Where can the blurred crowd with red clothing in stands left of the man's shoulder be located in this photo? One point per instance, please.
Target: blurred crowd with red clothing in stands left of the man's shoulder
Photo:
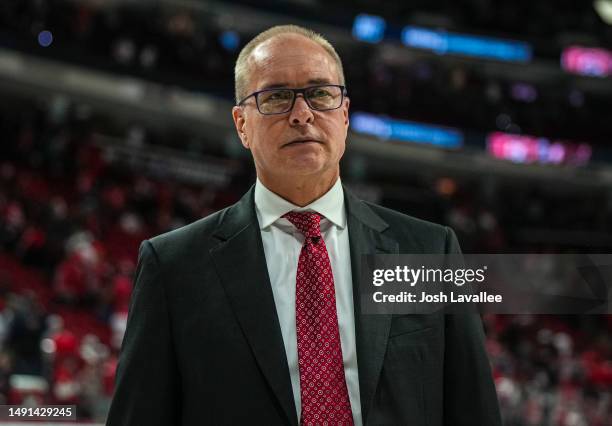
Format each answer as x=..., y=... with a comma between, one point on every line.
x=70, y=226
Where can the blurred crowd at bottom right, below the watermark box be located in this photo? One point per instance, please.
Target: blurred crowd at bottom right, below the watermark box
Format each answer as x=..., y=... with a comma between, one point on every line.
x=552, y=370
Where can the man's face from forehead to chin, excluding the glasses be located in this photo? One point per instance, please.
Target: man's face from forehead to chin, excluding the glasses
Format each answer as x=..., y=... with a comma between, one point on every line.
x=292, y=61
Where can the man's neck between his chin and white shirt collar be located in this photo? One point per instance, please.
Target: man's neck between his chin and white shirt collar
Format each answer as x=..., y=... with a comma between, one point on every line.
x=300, y=191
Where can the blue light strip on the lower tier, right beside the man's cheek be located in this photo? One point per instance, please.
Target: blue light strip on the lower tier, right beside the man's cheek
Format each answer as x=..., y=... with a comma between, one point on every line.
x=387, y=128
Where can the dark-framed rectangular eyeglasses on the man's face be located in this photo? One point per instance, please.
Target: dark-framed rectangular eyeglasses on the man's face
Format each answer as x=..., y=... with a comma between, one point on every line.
x=322, y=97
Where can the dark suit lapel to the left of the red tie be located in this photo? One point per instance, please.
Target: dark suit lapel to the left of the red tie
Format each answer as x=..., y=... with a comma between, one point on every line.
x=240, y=262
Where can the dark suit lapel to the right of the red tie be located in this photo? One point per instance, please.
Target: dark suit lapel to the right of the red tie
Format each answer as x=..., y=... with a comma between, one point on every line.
x=371, y=331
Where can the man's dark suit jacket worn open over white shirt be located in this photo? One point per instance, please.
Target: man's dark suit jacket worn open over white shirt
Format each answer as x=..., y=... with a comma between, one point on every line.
x=203, y=344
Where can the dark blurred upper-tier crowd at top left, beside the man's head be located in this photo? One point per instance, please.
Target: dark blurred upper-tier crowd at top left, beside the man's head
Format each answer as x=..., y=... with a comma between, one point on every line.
x=149, y=41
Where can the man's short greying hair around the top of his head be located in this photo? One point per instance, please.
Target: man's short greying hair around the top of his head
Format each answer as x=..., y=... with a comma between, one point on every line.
x=241, y=71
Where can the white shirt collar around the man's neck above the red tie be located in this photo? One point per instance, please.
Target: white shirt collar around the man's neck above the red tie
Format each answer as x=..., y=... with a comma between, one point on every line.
x=270, y=206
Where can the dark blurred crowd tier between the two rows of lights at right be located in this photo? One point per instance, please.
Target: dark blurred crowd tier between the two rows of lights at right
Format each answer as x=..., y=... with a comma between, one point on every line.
x=457, y=95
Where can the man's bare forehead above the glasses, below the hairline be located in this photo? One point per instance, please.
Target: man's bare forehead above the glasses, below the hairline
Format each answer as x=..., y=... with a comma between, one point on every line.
x=291, y=60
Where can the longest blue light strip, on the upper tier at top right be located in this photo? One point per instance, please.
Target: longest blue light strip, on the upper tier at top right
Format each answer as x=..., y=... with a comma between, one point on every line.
x=442, y=43
